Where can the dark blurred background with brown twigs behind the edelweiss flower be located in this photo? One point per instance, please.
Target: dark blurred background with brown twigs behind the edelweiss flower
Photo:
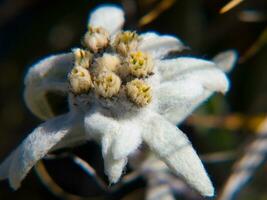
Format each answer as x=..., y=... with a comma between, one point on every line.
x=224, y=131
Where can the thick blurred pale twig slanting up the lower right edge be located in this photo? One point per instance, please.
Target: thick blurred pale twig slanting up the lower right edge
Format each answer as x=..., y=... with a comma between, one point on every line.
x=245, y=168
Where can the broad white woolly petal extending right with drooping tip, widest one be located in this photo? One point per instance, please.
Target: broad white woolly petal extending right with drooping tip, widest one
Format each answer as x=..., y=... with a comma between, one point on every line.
x=192, y=82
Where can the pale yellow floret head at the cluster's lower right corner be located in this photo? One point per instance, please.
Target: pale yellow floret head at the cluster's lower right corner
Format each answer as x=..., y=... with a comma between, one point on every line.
x=139, y=92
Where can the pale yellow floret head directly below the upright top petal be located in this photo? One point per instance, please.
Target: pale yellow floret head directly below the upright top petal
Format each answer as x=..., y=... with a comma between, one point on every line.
x=96, y=39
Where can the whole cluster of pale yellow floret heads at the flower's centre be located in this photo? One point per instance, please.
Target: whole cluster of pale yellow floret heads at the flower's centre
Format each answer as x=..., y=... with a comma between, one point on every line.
x=108, y=69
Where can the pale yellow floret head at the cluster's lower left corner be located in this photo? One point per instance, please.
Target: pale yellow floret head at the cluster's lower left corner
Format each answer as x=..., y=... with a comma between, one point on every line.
x=80, y=80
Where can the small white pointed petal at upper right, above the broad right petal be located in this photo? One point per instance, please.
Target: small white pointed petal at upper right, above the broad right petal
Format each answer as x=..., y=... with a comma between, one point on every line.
x=159, y=45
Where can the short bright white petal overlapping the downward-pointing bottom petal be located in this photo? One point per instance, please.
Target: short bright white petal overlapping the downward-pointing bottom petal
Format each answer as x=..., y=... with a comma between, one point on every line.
x=127, y=140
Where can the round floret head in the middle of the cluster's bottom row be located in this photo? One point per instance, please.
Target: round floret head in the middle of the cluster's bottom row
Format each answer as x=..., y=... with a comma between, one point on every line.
x=107, y=84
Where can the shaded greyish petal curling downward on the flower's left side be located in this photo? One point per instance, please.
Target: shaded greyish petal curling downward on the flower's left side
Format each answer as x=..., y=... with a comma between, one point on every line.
x=49, y=74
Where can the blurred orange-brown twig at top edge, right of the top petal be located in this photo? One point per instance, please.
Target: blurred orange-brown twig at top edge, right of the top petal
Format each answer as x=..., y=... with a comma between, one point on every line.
x=157, y=10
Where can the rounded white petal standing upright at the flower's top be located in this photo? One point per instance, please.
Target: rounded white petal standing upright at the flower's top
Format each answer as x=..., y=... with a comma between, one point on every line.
x=109, y=17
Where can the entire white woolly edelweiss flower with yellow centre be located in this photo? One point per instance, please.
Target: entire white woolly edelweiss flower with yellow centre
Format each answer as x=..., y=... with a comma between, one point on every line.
x=121, y=93
